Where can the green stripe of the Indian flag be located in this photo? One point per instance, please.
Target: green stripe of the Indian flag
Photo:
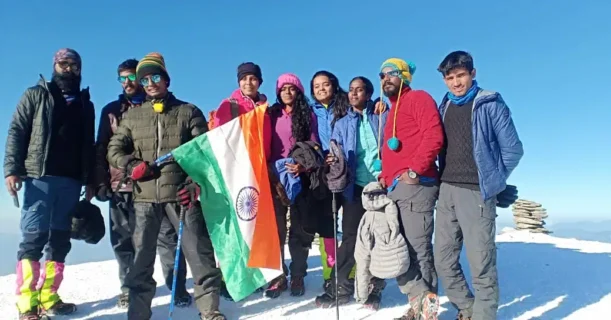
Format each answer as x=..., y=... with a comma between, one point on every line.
x=198, y=160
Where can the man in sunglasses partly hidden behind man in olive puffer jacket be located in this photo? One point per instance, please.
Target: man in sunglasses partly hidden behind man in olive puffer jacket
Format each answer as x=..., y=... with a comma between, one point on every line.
x=111, y=186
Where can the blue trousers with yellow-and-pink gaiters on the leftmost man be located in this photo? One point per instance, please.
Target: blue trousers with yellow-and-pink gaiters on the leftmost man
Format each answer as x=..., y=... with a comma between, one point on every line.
x=46, y=220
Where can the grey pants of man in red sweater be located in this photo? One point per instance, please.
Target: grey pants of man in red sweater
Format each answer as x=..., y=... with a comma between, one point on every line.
x=416, y=205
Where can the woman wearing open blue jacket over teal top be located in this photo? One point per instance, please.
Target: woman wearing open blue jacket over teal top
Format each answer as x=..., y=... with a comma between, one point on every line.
x=358, y=130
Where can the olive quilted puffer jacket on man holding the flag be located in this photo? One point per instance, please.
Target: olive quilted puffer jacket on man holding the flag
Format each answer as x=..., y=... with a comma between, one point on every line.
x=147, y=135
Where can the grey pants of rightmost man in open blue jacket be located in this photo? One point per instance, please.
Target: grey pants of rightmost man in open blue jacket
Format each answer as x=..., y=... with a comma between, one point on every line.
x=462, y=216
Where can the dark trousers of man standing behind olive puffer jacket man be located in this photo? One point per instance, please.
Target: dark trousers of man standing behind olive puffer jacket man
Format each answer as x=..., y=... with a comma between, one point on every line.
x=122, y=221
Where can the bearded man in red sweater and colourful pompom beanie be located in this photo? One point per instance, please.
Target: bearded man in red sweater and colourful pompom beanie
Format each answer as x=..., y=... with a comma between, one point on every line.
x=414, y=139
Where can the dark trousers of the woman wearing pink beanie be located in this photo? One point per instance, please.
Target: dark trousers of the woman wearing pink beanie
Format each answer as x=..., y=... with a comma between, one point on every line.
x=299, y=241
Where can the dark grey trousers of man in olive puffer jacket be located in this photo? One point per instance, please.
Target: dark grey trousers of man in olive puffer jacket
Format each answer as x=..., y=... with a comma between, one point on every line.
x=196, y=246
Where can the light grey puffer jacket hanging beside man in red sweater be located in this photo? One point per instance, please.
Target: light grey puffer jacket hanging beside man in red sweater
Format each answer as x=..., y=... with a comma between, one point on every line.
x=380, y=251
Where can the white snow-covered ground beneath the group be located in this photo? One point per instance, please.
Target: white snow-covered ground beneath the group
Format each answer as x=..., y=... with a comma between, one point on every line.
x=541, y=277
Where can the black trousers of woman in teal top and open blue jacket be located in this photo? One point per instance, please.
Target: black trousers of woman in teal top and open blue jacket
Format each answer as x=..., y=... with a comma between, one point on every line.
x=353, y=211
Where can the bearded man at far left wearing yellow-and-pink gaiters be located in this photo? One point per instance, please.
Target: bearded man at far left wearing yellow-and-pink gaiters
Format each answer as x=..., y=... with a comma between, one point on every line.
x=50, y=150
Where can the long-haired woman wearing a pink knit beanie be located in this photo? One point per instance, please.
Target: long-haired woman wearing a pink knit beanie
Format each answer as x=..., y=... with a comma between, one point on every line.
x=292, y=121
